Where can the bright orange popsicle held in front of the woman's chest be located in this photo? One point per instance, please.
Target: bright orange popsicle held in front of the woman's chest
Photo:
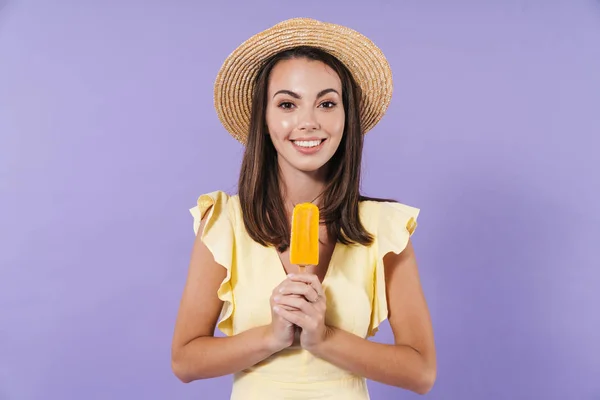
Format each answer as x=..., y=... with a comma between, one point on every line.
x=304, y=241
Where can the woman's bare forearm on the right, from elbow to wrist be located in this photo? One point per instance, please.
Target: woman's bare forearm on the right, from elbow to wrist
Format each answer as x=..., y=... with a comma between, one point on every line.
x=396, y=365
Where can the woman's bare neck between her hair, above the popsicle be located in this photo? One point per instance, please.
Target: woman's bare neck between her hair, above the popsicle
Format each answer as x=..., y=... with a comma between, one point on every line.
x=300, y=187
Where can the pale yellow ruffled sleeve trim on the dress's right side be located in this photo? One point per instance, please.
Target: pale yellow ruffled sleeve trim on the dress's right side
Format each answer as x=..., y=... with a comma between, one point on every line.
x=397, y=223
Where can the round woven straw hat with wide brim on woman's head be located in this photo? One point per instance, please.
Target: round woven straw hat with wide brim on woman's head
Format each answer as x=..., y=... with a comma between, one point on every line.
x=365, y=61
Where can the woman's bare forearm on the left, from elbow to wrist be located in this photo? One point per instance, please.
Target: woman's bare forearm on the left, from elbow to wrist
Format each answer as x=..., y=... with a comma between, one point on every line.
x=209, y=357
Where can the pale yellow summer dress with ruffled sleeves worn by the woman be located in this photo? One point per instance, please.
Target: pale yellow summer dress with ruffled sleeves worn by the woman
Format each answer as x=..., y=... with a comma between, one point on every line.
x=354, y=287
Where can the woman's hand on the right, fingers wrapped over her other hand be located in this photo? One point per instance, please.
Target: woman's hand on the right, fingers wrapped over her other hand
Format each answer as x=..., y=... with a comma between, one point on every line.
x=306, y=296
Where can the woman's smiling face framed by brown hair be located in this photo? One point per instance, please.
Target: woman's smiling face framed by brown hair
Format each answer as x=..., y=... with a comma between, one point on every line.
x=304, y=113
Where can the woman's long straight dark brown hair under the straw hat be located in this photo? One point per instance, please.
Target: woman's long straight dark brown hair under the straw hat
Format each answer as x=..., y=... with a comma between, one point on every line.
x=263, y=209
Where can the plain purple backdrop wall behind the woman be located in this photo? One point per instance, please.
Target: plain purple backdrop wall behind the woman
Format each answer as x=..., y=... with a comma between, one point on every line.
x=108, y=135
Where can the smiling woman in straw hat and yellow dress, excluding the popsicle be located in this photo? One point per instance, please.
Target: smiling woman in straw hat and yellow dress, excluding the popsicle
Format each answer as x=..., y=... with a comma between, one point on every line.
x=315, y=89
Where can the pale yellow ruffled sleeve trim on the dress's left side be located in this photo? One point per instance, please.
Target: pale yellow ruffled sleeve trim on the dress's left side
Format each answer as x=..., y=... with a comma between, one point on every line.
x=218, y=236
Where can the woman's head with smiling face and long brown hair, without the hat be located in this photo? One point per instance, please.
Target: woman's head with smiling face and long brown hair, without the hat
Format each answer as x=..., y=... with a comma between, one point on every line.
x=305, y=119
